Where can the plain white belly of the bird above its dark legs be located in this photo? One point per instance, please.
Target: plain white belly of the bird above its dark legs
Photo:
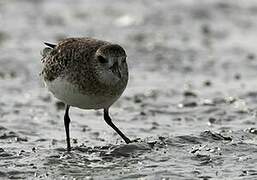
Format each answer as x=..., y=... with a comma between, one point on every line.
x=69, y=94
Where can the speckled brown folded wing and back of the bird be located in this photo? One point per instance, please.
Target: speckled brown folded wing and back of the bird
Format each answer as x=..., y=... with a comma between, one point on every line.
x=68, y=53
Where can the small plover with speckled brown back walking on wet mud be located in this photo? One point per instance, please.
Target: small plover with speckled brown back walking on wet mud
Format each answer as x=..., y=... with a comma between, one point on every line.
x=85, y=73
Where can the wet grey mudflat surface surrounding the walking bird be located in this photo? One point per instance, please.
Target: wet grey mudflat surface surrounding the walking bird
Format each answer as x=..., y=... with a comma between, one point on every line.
x=191, y=98
